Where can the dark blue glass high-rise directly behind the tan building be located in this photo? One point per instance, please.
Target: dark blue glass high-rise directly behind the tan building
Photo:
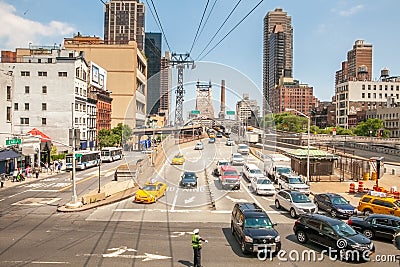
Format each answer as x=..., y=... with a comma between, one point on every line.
x=152, y=50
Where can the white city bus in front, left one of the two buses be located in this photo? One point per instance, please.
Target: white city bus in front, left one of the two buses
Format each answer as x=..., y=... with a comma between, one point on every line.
x=84, y=159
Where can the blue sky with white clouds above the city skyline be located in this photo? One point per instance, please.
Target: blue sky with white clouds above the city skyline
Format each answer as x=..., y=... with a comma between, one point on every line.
x=324, y=30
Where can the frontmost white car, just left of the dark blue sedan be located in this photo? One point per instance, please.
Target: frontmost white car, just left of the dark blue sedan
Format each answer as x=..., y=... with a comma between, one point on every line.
x=295, y=202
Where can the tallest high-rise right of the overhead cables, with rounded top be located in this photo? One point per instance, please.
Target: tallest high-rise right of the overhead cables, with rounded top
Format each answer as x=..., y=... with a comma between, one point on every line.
x=278, y=51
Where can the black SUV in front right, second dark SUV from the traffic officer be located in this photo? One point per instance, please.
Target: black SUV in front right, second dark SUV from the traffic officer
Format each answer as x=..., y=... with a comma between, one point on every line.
x=342, y=241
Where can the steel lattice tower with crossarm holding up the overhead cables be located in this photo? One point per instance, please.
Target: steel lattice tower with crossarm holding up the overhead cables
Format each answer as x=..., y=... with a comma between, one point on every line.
x=180, y=61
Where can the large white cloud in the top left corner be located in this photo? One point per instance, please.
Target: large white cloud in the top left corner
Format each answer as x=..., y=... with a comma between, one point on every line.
x=19, y=32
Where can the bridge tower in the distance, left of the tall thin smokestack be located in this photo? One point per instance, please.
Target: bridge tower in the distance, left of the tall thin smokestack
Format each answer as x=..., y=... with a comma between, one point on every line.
x=204, y=100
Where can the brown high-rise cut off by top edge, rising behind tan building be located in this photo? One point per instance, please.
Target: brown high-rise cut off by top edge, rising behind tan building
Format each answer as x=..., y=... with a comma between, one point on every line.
x=124, y=22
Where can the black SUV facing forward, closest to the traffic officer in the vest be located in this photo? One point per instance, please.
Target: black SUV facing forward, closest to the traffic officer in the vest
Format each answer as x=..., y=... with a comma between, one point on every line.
x=253, y=229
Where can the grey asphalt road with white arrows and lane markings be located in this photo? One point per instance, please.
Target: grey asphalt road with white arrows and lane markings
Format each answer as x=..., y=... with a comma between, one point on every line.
x=32, y=233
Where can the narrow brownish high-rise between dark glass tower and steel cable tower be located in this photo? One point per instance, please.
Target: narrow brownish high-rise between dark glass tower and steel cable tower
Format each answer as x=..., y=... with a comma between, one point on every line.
x=165, y=87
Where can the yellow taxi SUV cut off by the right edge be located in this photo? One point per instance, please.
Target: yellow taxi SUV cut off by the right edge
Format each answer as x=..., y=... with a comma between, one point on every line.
x=380, y=204
